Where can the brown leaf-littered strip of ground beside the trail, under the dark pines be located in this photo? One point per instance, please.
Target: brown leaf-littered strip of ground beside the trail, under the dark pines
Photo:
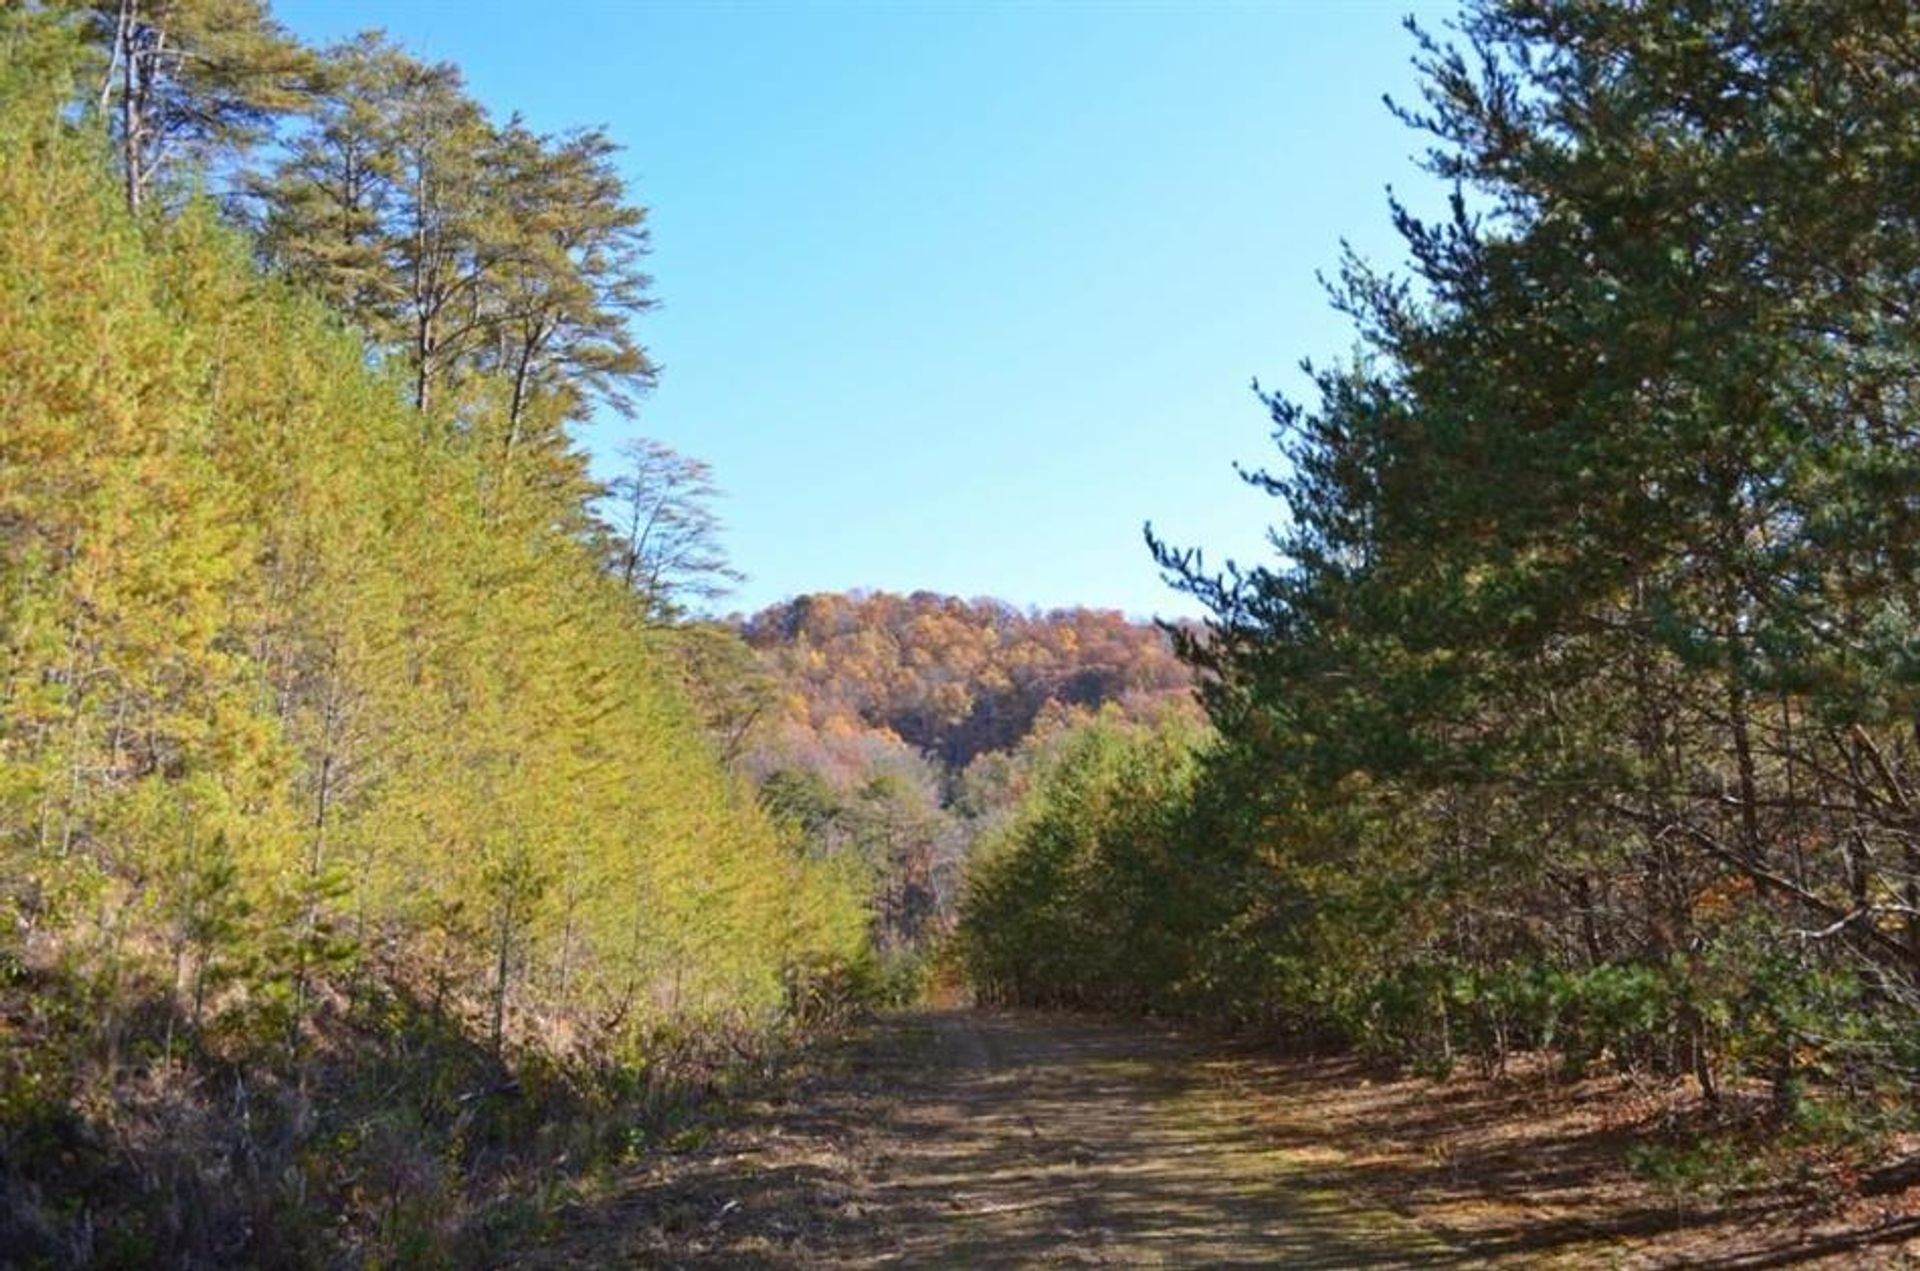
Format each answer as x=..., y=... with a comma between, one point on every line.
x=1531, y=1170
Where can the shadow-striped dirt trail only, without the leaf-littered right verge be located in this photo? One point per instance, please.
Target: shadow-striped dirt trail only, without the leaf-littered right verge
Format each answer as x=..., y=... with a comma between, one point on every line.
x=986, y=1139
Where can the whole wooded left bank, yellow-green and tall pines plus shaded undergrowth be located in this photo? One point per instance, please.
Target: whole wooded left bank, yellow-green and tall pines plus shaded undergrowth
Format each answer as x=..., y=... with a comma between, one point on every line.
x=358, y=830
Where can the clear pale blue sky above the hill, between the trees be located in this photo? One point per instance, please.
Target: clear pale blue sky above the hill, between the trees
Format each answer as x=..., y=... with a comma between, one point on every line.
x=957, y=297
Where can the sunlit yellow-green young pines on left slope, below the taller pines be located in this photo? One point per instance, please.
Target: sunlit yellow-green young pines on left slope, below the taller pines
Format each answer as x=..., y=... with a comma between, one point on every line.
x=297, y=679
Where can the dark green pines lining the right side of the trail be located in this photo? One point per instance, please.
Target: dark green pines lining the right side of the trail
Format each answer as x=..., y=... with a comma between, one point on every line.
x=1579, y=707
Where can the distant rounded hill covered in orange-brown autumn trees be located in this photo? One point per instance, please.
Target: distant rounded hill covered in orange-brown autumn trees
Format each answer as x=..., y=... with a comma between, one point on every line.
x=896, y=731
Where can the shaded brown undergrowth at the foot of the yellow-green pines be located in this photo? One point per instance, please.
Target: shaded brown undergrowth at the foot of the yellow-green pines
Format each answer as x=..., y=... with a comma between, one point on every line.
x=389, y=1134
